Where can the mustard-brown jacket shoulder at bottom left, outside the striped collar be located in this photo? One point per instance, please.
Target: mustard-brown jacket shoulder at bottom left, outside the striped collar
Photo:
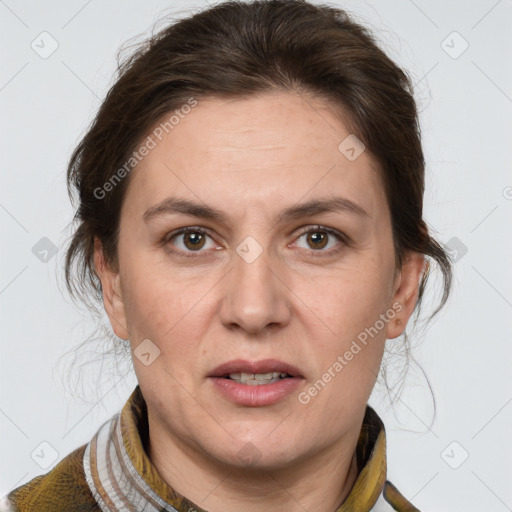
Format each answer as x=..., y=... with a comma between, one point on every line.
x=63, y=488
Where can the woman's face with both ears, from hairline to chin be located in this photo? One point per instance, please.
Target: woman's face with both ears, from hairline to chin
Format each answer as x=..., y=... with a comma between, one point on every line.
x=288, y=267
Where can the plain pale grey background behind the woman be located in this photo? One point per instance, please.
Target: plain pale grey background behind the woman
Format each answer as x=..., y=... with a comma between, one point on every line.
x=460, y=461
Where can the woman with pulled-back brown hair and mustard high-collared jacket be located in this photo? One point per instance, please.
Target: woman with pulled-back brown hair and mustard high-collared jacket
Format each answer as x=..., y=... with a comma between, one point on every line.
x=251, y=216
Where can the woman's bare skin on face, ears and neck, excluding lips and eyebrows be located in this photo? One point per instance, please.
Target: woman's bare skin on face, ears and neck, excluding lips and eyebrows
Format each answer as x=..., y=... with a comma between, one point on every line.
x=297, y=302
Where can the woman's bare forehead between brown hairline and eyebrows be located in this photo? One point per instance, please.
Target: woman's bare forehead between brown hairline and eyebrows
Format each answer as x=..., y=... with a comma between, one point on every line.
x=258, y=151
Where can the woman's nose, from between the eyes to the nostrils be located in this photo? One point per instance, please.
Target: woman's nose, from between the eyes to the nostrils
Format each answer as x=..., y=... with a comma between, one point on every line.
x=256, y=297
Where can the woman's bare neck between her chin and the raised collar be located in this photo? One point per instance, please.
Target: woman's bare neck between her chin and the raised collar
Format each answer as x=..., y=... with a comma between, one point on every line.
x=321, y=482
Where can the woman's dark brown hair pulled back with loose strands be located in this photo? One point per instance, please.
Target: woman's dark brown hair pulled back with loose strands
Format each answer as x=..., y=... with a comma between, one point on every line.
x=236, y=49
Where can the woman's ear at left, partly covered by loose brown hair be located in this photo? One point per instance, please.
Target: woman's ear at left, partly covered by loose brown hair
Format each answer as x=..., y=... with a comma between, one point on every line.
x=111, y=289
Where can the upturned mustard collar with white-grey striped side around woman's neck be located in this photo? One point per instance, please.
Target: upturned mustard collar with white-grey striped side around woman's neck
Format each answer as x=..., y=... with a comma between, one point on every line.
x=120, y=474
